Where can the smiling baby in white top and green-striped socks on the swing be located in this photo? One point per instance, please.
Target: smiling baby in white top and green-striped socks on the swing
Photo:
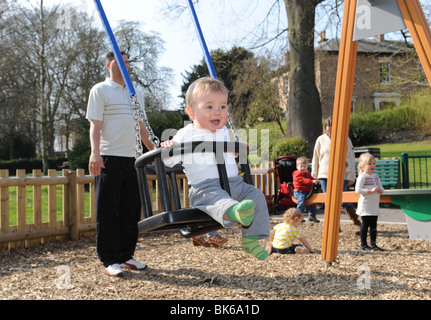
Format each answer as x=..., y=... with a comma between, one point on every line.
x=207, y=107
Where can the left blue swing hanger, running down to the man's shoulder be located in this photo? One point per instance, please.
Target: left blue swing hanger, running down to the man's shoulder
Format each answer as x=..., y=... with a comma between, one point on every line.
x=115, y=49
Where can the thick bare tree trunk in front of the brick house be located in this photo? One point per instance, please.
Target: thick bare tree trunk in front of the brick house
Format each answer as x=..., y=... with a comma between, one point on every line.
x=304, y=112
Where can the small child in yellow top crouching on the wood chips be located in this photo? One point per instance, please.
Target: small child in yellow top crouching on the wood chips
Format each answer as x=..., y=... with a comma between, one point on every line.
x=284, y=234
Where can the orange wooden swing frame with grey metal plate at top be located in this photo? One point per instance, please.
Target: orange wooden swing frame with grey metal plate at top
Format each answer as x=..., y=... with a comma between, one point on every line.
x=362, y=19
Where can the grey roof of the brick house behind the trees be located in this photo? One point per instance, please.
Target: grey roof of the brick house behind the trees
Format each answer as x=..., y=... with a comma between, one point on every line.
x=369, y=46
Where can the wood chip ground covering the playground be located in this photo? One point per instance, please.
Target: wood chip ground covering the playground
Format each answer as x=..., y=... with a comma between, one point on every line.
x=179, y=271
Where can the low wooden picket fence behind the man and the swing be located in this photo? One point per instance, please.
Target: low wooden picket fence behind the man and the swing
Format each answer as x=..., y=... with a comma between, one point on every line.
x=37, y=209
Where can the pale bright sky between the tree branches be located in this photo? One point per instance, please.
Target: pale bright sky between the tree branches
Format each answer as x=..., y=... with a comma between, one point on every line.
x=222, y=28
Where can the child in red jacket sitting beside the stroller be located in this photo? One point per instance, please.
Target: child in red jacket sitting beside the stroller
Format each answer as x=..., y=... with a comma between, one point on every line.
x=303, y=183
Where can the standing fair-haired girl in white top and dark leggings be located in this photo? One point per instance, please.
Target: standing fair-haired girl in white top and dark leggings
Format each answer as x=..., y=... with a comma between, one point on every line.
x=370, y=188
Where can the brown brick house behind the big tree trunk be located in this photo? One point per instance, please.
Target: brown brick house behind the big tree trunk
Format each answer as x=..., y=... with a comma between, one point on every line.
x=386, y=71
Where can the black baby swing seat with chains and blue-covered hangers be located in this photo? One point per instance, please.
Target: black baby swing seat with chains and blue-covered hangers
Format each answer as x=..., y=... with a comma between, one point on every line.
x=190, y=222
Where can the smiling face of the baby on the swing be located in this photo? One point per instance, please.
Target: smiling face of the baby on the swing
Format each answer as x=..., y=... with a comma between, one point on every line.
x=209, y=111
